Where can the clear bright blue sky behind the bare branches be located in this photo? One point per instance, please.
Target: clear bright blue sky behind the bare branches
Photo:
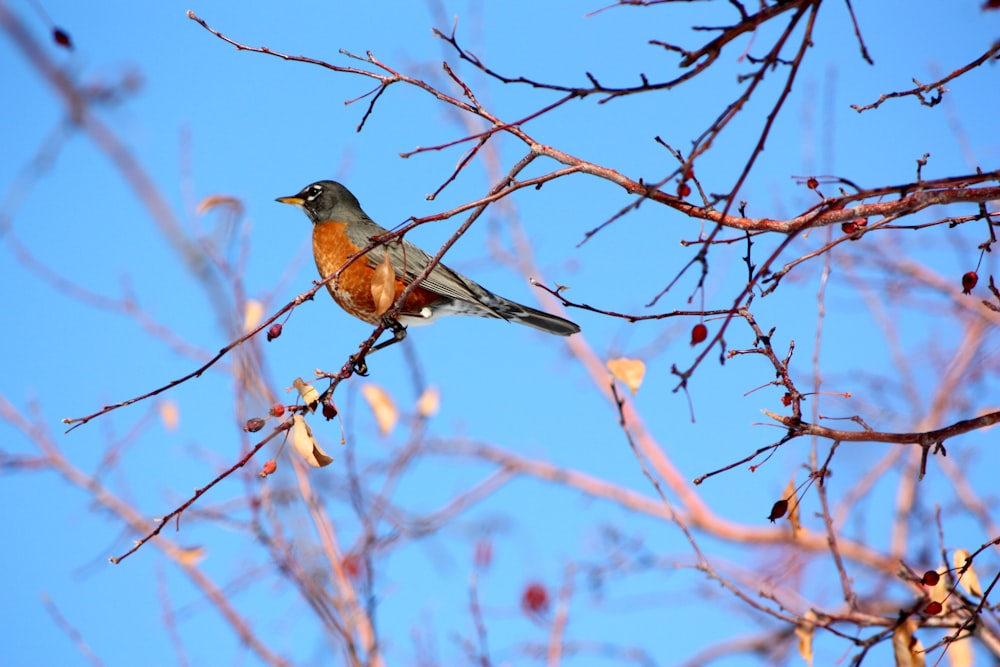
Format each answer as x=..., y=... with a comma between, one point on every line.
x=207, y=119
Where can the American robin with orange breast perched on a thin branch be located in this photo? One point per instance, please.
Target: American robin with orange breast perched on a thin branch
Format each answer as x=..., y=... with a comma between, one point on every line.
x=342, y=229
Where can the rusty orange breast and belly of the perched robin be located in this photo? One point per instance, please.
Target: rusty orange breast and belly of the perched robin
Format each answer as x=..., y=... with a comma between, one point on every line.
x=352, y=289
